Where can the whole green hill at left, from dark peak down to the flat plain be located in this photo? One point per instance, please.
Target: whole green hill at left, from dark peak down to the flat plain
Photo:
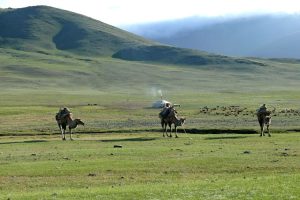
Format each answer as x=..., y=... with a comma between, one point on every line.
x=46, y=52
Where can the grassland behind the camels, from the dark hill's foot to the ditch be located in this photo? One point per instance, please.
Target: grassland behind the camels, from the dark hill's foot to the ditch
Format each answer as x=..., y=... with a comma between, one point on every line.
x=108, y=93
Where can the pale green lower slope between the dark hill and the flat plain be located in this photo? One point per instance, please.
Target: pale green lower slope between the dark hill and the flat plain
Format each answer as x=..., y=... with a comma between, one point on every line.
x=69, y=74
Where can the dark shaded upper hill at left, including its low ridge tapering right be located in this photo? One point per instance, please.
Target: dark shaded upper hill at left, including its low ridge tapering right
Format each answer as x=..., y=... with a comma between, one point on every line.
x=53, y=31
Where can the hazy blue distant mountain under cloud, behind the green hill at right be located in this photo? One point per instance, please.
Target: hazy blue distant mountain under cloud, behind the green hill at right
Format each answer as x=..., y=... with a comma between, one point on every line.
x=254, y=36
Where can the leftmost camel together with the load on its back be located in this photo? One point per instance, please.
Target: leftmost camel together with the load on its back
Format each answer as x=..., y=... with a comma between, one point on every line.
x=64, y=119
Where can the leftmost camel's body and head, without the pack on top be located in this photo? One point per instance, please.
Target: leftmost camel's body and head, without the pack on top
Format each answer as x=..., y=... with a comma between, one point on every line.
x=65, y=121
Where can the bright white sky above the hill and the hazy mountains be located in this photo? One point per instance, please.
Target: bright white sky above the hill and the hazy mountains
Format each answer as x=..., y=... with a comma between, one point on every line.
x=124, y=12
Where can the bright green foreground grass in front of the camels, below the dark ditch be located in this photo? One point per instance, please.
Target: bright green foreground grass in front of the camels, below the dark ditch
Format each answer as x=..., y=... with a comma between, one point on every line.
x=150, y=167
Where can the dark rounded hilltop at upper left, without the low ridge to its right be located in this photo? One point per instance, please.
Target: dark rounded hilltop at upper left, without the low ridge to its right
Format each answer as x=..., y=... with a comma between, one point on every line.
x=47, y=28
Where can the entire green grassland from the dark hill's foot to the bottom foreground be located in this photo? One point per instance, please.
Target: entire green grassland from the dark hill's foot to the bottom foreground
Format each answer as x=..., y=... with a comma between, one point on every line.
x=221, y=157
